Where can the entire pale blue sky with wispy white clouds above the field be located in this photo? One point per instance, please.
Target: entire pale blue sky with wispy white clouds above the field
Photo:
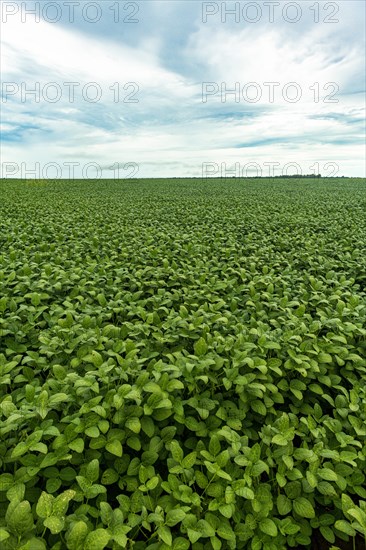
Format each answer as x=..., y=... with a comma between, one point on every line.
x=182, y=88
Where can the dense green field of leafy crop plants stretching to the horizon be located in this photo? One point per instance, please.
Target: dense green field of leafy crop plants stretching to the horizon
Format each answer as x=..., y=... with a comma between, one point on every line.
x=183, y=364
